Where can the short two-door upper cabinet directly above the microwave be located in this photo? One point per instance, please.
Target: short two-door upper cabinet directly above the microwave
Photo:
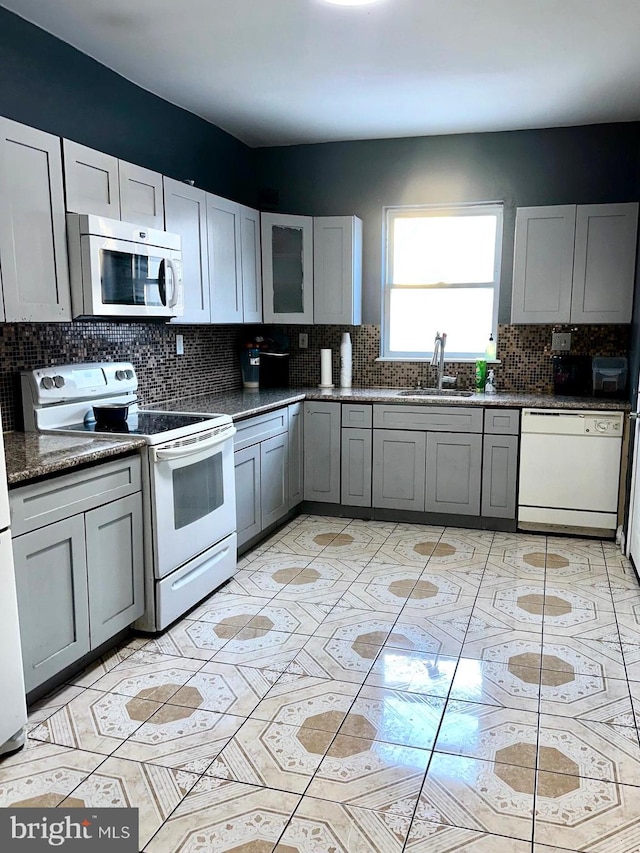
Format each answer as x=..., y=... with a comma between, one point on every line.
x=101, y=184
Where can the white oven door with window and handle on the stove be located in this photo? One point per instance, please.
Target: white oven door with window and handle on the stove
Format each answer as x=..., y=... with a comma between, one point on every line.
x=193, y=502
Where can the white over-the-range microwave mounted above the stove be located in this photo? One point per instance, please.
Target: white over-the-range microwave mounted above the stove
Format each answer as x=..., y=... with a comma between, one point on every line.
x=123, y=270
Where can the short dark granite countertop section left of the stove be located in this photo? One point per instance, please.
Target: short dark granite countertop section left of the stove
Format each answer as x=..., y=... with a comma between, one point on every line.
x=32, y=455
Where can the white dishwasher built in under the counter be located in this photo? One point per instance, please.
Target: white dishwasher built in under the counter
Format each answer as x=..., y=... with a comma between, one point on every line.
x=570, y=470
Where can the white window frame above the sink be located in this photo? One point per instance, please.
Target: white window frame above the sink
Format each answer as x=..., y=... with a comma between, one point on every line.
x=393, y=212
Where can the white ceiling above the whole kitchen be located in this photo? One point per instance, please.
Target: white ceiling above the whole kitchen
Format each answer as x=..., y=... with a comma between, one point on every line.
x=279, y=72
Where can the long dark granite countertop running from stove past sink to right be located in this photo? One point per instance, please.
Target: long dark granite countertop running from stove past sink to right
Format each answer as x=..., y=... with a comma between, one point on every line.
x=242, y=404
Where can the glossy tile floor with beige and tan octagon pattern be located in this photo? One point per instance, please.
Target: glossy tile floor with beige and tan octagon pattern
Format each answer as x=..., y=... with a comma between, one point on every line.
x=366, y=687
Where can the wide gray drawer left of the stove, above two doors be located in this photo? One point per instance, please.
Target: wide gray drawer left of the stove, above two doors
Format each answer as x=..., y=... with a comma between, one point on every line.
x=38, y=504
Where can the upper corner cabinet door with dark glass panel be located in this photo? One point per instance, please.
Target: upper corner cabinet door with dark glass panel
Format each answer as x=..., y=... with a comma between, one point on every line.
x=287, y=268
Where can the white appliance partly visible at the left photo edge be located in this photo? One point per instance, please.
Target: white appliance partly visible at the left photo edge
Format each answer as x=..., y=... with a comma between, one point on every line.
x=13, y=708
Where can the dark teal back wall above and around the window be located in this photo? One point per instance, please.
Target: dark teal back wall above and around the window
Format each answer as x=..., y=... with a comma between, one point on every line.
x=598, y=163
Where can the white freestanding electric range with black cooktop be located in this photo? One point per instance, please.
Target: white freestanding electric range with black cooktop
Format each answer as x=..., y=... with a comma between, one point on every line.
x=188, y=479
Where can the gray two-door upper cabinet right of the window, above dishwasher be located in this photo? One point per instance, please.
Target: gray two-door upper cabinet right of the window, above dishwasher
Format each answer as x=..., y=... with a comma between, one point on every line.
x=574, y=263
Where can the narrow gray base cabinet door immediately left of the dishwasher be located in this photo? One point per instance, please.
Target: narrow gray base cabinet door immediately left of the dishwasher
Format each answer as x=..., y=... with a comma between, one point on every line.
x=499, y=476
